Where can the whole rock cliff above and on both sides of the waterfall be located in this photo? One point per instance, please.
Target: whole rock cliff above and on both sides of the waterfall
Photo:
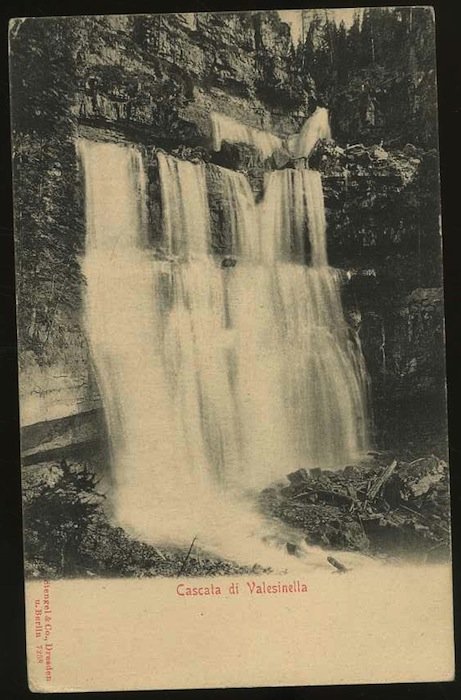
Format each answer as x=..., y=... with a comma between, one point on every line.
x=154, y=80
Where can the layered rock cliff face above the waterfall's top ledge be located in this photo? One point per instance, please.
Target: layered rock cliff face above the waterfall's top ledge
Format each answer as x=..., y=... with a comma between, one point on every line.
x=176, y=71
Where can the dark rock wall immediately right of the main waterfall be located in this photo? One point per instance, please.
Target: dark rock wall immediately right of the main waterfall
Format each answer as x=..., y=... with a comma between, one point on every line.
x=383, y=215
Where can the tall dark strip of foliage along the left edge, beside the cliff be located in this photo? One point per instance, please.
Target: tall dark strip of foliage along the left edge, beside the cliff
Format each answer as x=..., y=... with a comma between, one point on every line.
x=48, y=236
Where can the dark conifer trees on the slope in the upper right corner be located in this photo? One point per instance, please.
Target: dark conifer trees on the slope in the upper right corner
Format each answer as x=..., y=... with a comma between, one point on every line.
x=377, y=76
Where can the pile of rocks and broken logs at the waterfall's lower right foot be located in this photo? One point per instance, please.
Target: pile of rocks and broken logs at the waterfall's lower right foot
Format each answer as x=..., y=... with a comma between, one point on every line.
x=381, y=506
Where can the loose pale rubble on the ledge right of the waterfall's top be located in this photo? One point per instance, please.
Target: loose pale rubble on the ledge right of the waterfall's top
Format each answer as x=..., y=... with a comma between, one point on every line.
x=359, y=160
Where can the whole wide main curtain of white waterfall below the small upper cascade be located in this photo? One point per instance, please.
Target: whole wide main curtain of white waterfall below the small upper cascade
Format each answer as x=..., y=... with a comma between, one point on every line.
x=213, y=379
